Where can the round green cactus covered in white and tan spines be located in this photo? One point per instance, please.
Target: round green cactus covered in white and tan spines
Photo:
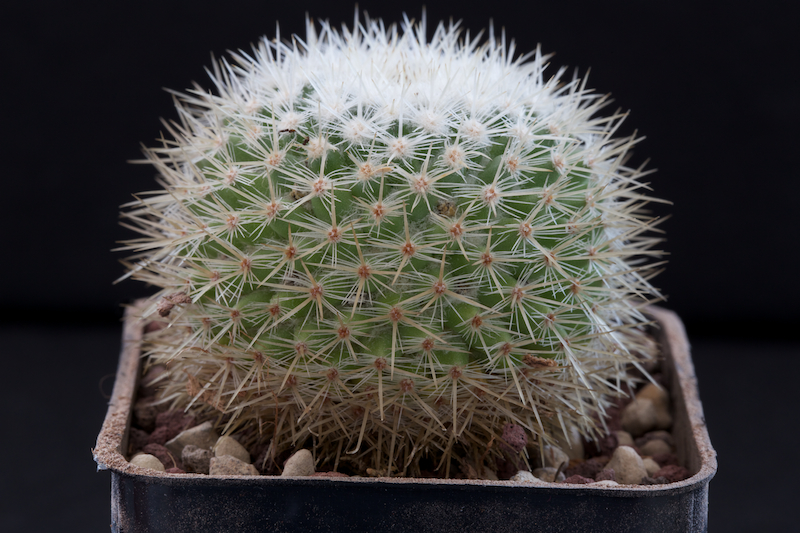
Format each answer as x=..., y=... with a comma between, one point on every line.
x=387, y=248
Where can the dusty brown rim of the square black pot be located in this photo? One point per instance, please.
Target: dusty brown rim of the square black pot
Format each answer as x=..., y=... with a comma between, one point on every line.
x=669, y=331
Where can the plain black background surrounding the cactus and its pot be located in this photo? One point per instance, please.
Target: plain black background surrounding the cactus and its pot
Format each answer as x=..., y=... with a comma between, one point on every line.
x=713, y=87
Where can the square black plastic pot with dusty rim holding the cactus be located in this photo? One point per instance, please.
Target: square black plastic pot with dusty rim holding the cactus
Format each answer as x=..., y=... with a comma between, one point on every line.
x=143, y=502
